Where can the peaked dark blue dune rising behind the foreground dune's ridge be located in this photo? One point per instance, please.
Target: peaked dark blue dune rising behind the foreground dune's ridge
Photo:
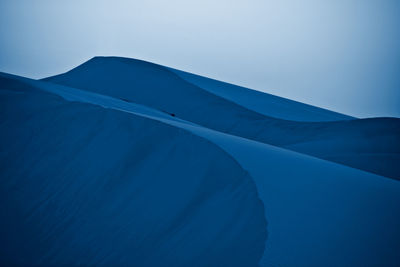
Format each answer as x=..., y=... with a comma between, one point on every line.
x=369, y=144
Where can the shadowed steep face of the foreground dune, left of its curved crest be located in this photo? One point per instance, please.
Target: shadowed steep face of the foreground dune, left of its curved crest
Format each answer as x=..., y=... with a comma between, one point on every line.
x=80, y=182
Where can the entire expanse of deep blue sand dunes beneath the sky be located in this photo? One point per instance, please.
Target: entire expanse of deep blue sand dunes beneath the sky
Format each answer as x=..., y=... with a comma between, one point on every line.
x=125, y=162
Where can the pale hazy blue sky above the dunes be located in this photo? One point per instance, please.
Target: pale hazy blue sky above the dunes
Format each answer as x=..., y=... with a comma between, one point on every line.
x=343, y=55
